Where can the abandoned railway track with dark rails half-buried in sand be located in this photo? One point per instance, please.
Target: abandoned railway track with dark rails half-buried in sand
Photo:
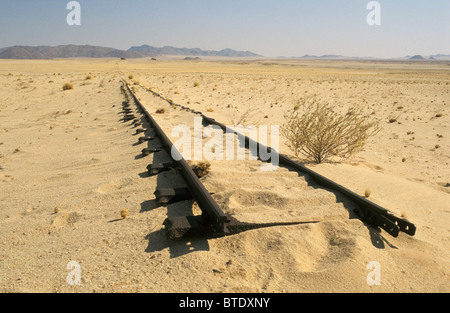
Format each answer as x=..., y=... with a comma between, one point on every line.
x=222, y=208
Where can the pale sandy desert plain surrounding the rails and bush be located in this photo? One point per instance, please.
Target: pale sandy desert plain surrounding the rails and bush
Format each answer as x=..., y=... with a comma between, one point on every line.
x=69, y=165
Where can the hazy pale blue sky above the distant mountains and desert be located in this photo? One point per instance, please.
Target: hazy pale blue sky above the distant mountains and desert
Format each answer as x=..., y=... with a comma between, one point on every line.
x=267, y=27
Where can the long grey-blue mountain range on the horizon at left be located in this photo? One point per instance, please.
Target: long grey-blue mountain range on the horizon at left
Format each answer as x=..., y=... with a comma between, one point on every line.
x=86, y=51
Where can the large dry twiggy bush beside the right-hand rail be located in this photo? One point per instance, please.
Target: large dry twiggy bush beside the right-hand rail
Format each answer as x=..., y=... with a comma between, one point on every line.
x=315, y=130
